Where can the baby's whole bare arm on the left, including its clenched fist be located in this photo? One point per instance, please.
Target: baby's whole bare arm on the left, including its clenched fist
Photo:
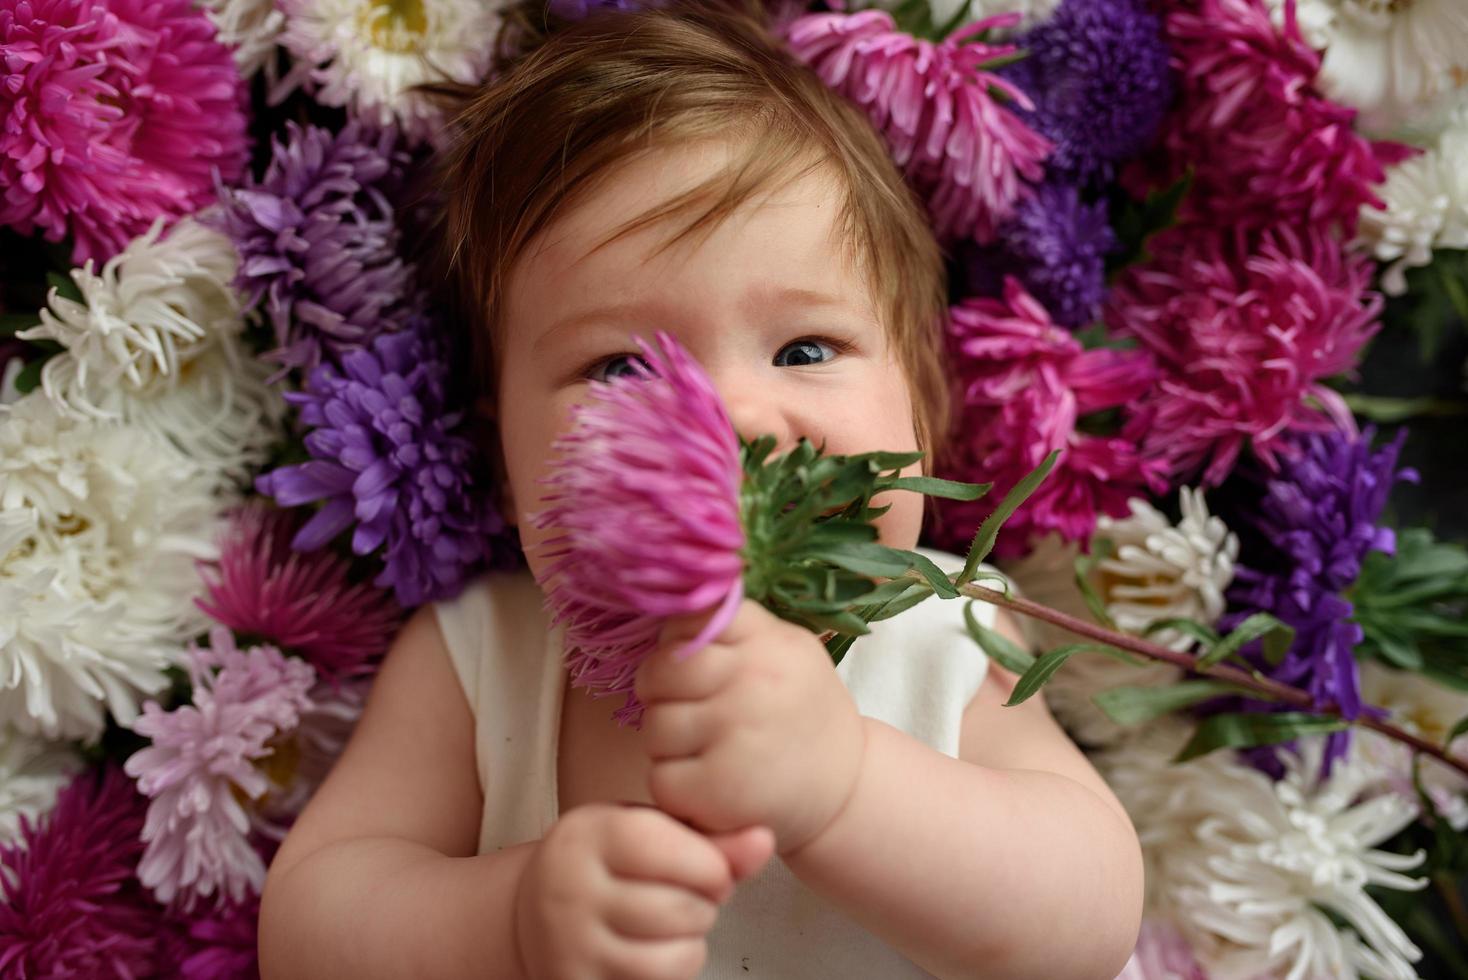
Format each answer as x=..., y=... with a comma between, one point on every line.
x=379, y=877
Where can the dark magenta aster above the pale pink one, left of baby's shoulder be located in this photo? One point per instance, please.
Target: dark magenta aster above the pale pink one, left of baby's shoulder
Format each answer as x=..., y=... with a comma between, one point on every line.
x=297, y=601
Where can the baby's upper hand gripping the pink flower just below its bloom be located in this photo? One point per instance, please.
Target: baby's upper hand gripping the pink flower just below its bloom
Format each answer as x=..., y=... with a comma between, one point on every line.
x=757, y=728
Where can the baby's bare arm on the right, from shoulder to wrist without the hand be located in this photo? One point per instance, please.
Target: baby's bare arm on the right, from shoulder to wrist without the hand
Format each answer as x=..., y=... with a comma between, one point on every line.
x=1014, y=860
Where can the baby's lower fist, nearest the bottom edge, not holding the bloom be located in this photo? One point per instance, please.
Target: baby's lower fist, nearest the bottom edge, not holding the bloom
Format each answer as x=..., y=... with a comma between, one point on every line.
x=626, y=893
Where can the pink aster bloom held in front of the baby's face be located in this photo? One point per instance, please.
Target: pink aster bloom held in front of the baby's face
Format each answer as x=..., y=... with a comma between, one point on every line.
x=648, y=485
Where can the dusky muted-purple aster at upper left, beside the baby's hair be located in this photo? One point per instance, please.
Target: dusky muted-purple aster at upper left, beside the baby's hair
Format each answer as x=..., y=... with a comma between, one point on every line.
x=318, y=241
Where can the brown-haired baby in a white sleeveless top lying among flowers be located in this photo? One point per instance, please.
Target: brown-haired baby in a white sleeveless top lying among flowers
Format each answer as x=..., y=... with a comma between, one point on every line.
x=774, y=816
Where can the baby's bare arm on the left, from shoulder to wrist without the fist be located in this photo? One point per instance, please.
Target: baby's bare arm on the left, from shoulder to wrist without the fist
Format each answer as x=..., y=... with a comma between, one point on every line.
x=378, y=878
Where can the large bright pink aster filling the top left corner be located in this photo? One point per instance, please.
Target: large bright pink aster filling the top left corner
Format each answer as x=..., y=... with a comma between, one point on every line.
x=114, y=114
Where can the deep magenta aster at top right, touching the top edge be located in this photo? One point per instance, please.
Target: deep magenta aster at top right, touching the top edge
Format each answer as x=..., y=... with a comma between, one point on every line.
x=1266, y=146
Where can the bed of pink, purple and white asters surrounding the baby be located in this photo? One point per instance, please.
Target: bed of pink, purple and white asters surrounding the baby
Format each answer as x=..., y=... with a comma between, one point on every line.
x=1210, y=282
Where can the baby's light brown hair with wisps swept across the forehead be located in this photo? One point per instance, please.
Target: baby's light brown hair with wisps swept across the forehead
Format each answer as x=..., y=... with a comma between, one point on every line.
x=575, y=103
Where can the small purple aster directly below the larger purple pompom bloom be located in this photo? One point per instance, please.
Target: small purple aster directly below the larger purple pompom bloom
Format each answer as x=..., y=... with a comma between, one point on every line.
x=1056, y=246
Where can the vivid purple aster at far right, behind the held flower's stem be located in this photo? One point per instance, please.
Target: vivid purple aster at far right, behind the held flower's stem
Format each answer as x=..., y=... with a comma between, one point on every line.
x=1316, y=524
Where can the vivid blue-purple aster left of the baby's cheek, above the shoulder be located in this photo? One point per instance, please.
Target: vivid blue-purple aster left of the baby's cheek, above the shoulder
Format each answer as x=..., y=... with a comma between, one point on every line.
x=388, y=456
